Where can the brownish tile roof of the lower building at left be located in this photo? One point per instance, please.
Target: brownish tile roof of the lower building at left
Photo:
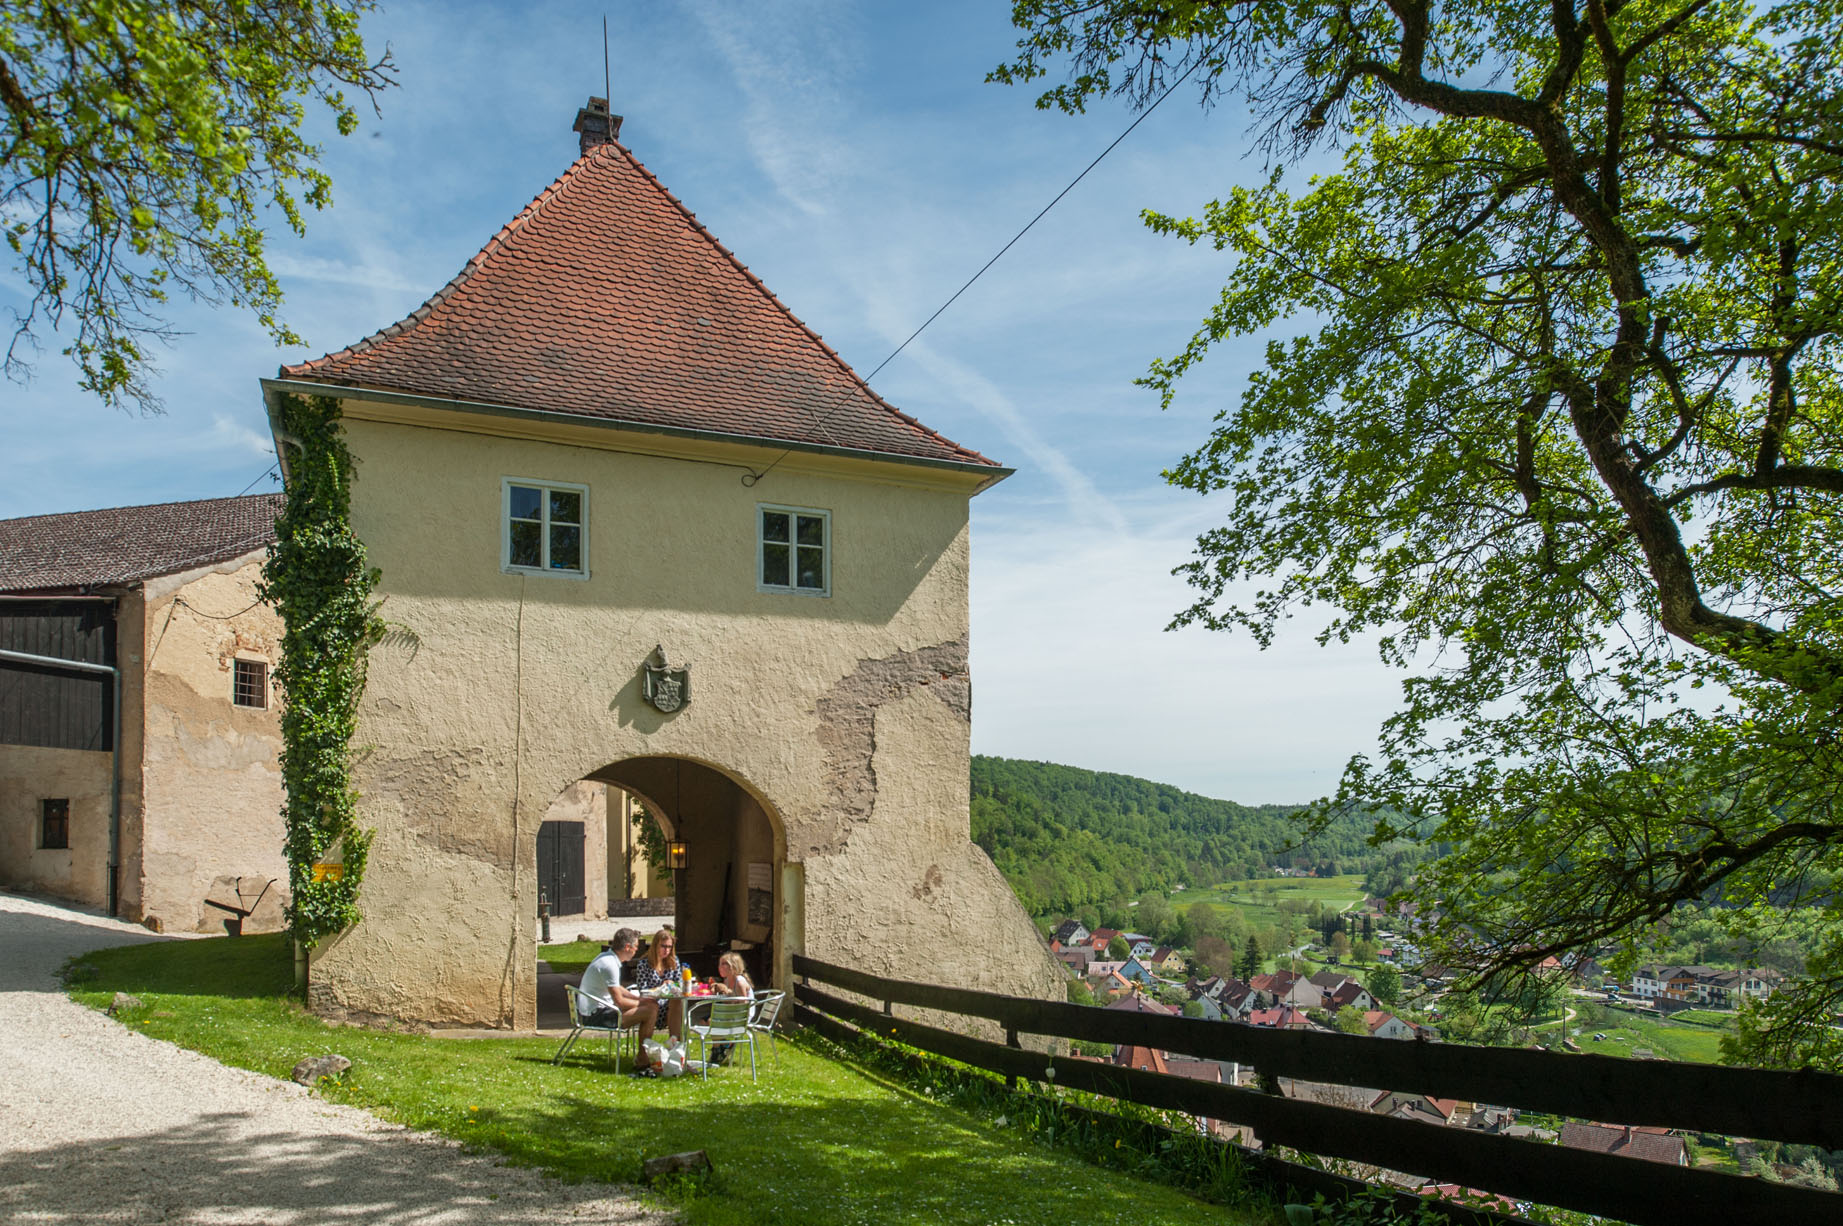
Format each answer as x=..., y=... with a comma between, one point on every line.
x=128, y=545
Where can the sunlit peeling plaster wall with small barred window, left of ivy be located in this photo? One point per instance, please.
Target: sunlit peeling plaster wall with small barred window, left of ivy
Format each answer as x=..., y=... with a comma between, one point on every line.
x=209, y=799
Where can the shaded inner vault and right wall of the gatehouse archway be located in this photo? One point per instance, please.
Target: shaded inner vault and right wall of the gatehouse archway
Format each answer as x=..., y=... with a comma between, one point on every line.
x=731, y=891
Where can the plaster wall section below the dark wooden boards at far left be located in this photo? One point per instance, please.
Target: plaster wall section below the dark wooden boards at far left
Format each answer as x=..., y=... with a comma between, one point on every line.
x=32, y=773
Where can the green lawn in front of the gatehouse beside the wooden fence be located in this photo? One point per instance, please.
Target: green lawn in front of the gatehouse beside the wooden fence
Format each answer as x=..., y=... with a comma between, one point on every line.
x=816, y=1142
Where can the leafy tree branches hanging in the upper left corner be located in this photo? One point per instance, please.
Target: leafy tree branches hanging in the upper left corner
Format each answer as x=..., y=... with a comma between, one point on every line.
x=141, y=147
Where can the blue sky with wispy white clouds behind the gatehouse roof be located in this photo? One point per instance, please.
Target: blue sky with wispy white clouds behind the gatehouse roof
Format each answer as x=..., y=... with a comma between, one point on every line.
x=854, y=158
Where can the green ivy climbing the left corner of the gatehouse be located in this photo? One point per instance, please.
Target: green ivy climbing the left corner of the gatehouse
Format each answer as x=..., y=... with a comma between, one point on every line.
x=318, y=580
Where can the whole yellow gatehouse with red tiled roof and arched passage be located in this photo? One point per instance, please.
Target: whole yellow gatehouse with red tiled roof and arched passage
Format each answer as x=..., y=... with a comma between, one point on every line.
x=640, y=526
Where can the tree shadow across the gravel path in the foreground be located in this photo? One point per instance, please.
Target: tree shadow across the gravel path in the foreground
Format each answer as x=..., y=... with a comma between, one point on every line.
x=226, y=1170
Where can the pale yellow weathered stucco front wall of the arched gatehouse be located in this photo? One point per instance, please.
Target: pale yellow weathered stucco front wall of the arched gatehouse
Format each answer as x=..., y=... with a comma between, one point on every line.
x=845, y=718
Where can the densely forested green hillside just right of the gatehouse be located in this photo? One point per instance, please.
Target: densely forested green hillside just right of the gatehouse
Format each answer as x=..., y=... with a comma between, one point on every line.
x=1068, y=838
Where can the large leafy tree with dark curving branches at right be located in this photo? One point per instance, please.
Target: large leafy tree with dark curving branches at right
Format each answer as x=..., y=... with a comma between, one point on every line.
x=1562, y=430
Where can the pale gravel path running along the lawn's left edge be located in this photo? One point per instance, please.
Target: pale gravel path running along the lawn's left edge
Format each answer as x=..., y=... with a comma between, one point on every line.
x=104, y=1126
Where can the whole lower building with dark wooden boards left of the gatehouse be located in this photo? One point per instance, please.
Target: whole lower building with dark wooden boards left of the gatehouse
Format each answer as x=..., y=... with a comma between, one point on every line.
x=139, y=733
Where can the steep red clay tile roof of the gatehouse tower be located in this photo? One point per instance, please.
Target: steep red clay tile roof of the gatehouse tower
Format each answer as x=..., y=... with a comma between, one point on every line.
x=605, y=298
